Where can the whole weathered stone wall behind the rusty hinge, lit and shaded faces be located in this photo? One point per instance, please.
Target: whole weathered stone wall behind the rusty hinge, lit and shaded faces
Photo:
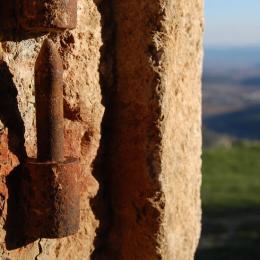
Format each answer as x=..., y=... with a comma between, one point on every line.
x=132, y=115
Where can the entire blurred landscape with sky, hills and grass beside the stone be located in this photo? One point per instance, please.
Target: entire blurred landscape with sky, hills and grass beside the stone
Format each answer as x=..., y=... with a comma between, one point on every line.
x=231, y=132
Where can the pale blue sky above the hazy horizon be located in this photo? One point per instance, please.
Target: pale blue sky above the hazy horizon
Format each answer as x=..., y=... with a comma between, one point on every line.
x=232, y=22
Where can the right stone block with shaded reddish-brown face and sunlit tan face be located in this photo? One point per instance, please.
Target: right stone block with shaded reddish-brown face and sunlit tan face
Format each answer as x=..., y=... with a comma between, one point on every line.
x=156, y=130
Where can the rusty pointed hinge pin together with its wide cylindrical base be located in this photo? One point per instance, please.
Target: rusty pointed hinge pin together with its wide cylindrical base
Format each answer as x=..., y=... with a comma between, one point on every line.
x=51, y=191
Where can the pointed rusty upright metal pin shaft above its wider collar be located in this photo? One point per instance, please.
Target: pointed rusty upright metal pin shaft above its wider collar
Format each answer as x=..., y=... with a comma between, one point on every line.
x=49, y=103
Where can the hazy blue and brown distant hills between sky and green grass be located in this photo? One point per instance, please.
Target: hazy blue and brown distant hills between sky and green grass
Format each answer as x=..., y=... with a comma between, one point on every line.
x=231, y=95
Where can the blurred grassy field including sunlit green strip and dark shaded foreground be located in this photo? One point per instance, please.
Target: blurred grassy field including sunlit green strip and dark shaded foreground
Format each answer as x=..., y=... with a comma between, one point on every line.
x=231, y=203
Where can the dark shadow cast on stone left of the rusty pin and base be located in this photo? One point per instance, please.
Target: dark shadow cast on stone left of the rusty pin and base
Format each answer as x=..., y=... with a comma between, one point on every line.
x=12, y=120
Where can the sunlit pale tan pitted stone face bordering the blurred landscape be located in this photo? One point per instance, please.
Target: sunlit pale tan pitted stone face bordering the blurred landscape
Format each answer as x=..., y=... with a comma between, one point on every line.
x=181, y=144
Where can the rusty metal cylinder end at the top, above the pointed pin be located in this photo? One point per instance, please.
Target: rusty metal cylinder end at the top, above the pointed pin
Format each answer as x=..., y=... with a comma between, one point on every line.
x=47, y=15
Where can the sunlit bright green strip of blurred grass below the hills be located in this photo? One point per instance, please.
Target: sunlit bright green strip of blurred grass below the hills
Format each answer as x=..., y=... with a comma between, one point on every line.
x=231, y=177
